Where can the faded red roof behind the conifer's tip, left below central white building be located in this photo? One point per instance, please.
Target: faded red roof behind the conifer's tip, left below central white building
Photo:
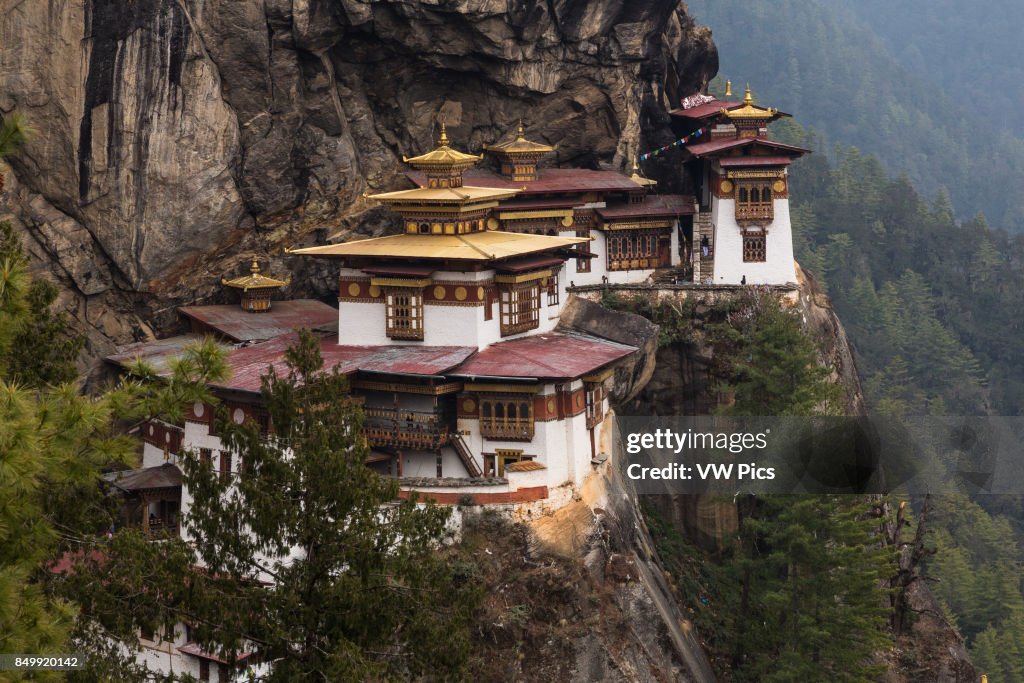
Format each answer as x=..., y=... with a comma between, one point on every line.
x=250, y=364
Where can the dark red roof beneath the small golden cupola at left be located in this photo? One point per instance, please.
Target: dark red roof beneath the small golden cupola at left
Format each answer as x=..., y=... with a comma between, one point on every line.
x=284, y=317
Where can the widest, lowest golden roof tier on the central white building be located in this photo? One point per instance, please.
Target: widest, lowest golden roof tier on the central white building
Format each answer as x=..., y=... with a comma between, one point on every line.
x=473, y=247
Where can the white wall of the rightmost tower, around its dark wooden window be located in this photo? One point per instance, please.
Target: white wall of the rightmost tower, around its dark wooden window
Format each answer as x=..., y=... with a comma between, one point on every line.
x=779, y=268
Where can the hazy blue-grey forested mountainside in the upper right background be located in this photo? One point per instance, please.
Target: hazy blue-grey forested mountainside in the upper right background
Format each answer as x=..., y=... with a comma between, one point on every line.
x=833, y=71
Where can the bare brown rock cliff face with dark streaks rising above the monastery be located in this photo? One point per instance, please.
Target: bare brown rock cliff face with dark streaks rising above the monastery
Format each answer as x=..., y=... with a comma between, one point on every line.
x=179, y=137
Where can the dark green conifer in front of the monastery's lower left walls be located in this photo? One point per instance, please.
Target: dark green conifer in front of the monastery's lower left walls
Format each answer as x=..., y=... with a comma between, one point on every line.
x=308, y=554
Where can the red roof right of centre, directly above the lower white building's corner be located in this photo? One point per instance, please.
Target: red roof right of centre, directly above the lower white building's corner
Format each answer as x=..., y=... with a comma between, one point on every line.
x=552, y=356
